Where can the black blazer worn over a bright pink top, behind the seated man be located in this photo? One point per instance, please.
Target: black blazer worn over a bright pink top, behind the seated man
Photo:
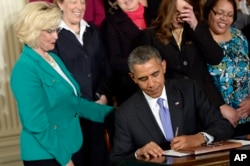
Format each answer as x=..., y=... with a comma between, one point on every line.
x=121, y=36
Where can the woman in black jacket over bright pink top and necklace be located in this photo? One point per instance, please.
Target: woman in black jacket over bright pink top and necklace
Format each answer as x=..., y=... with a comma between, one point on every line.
x=122, y=30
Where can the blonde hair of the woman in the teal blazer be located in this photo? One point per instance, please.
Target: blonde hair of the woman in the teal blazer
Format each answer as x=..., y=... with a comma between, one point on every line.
x=34, y=18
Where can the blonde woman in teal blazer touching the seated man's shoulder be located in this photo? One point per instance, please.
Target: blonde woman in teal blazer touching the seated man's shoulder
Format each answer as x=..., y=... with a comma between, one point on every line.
x=48, y=97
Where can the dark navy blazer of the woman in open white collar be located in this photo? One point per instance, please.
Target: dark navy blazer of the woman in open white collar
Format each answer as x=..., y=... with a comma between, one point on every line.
x=88, y=63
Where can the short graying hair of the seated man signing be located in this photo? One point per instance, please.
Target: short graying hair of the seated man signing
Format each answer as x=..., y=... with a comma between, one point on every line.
x=141, y=55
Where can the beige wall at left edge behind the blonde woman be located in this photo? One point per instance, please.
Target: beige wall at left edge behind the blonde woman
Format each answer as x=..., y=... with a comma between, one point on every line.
x=9, y=51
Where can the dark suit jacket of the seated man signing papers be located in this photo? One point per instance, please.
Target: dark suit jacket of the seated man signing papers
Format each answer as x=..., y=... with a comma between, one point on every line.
x=136, y=126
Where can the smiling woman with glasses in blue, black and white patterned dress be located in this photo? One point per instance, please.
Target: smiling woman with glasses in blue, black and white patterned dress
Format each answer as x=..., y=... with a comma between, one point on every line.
x=232, y=75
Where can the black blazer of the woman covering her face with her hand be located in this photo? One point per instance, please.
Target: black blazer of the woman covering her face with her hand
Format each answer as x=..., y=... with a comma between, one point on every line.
x=197, y=50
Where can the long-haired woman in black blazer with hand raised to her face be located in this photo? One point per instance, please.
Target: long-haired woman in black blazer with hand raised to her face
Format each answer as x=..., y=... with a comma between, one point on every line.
x=186, y=44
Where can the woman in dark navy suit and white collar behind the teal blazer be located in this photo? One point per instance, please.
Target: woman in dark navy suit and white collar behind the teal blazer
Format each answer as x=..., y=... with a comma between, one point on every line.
x=80, y=47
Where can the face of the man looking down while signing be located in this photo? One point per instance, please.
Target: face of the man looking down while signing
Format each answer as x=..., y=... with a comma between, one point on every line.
x=150, y=77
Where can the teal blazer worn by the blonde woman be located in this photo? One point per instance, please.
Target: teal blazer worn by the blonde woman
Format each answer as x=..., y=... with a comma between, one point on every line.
x=48, y=109
